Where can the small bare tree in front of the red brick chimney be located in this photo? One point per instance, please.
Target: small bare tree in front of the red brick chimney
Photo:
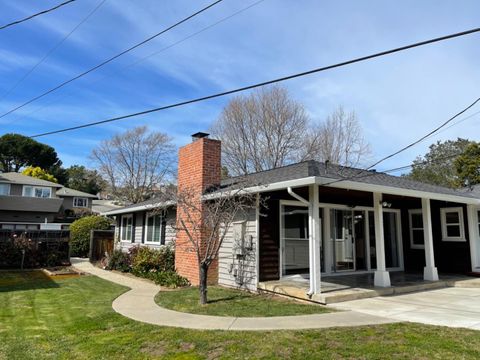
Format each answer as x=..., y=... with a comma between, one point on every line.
x=205, y=233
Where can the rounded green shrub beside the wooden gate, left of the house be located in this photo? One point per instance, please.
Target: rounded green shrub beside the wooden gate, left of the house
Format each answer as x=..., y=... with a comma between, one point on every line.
x=80, y=233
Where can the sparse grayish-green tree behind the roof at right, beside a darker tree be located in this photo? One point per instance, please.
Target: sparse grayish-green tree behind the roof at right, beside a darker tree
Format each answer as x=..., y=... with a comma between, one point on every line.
x=437, y=166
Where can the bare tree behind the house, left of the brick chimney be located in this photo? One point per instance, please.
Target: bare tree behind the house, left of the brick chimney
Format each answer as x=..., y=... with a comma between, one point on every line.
x=135, y=163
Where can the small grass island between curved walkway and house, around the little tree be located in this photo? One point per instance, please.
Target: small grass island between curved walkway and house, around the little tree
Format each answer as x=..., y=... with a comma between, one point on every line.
x=231, y=302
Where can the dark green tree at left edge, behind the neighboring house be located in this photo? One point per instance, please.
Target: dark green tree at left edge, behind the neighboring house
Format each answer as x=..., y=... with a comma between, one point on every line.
x=18, y=151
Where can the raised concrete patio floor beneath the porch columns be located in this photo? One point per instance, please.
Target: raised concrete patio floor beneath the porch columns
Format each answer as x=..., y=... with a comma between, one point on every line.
x=335, y=289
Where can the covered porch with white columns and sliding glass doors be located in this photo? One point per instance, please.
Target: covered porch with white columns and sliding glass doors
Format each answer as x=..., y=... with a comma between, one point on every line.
x=354, y=240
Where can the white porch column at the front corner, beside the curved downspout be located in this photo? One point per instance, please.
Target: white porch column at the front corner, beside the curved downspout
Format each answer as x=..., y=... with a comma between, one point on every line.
x=315, y=239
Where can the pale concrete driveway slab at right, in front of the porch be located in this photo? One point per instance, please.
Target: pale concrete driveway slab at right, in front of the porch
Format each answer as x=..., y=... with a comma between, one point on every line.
x=454, y=307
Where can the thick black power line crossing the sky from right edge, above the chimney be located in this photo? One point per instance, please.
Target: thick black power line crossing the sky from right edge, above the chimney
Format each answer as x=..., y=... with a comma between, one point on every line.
x=269, y=82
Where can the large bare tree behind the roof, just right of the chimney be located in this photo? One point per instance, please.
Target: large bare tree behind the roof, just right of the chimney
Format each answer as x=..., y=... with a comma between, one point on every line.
x=261, y=131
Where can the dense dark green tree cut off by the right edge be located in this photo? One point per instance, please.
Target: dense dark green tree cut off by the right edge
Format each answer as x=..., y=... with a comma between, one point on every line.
x=467, y=166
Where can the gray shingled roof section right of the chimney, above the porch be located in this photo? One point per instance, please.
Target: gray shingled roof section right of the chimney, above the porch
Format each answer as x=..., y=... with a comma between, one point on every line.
x=336, y=172
